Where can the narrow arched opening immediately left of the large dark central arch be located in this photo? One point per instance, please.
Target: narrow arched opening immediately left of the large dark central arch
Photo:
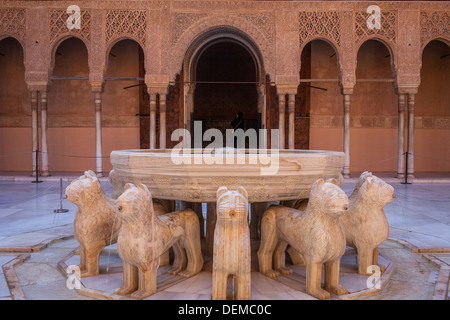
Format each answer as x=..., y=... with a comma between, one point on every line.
x=125, y=110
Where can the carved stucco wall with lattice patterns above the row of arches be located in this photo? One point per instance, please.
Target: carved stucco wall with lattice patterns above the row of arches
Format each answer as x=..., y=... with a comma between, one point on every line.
x=180, y=25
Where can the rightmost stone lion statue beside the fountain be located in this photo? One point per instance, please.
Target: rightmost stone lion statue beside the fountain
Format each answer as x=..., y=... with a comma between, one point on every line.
x=366, y=226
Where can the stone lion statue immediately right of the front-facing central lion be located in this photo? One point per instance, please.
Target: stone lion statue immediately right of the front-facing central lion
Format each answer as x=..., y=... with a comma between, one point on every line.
x=315, y=233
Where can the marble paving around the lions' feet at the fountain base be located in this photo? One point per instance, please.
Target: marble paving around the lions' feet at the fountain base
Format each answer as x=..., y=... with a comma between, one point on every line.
x=199, y=287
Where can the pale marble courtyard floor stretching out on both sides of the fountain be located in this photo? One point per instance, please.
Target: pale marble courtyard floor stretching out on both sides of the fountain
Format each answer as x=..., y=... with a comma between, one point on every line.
x=34, y=239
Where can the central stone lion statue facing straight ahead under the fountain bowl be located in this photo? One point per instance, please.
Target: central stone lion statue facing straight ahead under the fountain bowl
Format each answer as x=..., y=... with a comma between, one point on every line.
x=231, y=256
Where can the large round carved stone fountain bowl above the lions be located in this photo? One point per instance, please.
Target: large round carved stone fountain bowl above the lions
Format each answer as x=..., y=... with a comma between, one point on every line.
x=194, y=175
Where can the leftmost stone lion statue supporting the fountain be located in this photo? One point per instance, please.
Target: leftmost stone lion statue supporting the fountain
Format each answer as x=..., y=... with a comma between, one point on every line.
x=95, y=225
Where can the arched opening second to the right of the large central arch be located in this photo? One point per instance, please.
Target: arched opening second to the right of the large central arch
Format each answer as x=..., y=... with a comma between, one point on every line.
x=374, y=111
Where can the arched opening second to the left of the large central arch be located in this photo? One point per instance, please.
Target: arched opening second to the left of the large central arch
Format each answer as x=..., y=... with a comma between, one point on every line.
x=70, y=99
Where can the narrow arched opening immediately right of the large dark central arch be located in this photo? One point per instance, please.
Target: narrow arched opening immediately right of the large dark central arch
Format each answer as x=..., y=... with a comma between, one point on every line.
x=319, y=118
